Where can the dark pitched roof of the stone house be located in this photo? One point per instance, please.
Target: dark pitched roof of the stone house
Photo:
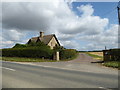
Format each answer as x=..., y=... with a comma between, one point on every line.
x=46, y=39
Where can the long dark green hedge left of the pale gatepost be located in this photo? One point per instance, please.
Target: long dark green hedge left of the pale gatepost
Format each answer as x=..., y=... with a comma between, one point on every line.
x=34, y=52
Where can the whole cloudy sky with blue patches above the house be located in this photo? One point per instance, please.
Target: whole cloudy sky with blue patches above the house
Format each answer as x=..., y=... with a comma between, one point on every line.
x=77, y=25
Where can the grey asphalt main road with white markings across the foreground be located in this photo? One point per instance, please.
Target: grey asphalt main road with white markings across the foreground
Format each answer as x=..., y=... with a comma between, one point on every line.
x=15, y=75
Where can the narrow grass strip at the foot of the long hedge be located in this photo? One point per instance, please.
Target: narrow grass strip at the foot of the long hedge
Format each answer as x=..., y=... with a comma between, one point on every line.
x=21, y=59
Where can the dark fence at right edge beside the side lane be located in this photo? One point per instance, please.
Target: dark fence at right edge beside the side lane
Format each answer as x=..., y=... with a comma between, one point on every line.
x=111, y=55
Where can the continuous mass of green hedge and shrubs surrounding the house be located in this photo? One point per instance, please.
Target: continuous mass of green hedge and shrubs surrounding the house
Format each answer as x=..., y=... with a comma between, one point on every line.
x=38, y=50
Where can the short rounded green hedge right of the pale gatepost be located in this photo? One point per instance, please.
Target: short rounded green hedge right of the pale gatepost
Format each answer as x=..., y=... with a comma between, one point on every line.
x=68, y=54
